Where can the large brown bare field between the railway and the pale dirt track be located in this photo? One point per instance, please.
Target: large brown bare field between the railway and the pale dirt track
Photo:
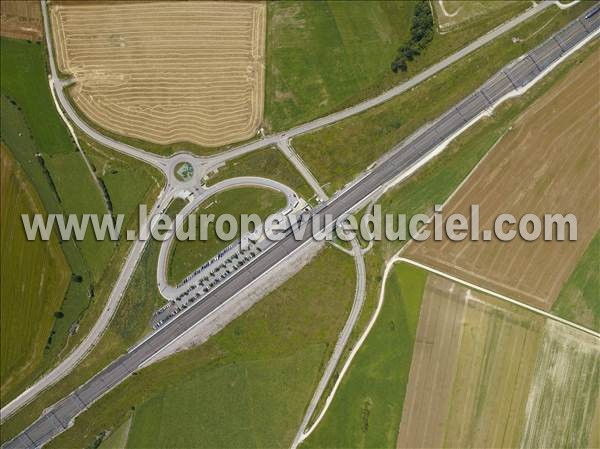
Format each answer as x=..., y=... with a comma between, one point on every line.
x=549, y=162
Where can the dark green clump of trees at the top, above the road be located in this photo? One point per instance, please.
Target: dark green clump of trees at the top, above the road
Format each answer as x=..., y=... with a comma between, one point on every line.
x=421, y=34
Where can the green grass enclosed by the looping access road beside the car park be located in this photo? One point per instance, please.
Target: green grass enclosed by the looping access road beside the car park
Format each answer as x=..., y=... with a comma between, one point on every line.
x=186, y=256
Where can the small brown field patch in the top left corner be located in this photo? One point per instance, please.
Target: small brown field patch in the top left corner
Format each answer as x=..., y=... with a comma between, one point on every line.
x=21, y=19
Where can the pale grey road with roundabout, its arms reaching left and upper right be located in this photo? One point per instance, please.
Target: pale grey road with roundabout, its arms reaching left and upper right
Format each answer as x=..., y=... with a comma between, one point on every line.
x=202, y=165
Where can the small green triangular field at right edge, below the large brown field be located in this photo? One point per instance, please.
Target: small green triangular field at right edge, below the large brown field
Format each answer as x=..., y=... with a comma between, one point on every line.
x=579, y=299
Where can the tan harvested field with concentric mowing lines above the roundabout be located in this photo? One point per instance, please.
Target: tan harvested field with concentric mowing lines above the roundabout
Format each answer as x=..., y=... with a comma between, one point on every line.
x=166, y=72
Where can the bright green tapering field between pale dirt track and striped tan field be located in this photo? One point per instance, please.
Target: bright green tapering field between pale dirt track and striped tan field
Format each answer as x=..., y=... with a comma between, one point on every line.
x=368, y=405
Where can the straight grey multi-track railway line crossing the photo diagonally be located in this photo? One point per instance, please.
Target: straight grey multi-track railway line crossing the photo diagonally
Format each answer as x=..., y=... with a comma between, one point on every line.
x=514, y=76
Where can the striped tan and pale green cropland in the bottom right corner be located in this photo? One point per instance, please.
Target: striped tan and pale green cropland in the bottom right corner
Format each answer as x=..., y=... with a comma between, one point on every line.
x=487, y=374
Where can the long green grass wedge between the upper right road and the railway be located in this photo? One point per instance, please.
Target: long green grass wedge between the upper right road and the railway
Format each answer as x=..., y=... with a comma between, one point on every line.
x=338, y=153
